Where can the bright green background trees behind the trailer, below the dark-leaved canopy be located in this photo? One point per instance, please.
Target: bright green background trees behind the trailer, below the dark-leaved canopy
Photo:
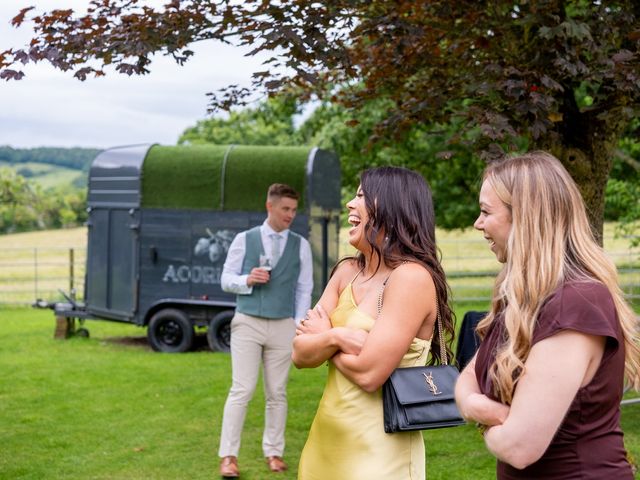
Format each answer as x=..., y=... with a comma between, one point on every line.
x=454, y=176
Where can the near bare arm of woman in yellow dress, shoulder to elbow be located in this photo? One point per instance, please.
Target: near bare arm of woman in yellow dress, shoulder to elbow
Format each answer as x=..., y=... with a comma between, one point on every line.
x=409, y=299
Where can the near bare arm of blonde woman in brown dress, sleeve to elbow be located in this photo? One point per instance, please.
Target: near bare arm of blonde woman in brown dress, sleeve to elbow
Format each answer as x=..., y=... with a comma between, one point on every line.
x=554, y=371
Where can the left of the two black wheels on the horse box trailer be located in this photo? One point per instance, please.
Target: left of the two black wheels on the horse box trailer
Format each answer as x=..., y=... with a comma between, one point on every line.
x=171, y=331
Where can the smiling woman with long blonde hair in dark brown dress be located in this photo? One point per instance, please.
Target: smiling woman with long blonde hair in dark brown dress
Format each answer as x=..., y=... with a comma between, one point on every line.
x=547, y=380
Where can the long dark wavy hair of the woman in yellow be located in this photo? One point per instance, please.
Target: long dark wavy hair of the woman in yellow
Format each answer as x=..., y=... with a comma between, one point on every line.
x=400, y=210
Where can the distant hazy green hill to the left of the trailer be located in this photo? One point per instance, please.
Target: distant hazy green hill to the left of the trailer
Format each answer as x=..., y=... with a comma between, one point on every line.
x=50, y=167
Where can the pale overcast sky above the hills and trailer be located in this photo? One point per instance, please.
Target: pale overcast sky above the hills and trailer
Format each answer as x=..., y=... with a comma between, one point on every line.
x=51, y=108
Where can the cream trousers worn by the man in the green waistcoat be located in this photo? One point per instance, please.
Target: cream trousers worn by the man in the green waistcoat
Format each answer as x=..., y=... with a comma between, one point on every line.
x=254, y=342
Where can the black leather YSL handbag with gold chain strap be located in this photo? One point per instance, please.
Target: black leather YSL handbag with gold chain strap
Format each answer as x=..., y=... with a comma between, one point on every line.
x=421, y=398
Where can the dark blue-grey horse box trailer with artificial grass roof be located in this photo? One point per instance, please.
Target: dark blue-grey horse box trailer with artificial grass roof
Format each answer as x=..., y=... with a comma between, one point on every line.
x=160, y=222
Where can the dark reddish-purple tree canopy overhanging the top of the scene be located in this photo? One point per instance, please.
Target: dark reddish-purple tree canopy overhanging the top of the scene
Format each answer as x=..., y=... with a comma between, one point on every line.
x=565, y=75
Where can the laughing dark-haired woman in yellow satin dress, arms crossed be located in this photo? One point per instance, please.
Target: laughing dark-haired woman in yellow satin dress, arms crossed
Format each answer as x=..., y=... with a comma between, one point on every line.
x=382, y=311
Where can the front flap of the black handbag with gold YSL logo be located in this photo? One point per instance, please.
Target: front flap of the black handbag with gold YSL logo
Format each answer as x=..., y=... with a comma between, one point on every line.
x=424, y=384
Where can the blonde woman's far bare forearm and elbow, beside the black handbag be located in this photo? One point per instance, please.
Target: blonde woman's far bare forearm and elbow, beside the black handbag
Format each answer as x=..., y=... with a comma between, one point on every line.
x=475, y=406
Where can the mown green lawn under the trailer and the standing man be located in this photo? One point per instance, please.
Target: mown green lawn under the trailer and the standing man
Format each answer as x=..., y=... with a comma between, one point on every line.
x=109, y=408
